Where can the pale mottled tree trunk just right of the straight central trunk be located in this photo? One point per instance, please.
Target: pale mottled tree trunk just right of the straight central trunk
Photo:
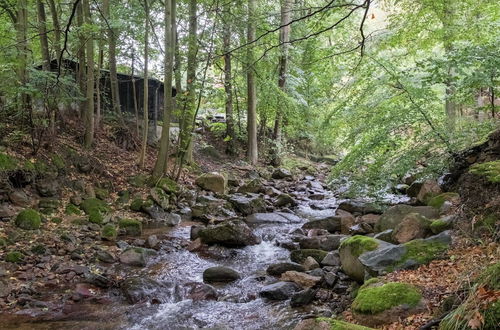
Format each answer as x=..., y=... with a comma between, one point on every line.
x=286, y=7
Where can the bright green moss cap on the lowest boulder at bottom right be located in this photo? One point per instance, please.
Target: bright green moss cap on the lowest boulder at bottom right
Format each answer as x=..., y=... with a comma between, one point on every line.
x=373, y=300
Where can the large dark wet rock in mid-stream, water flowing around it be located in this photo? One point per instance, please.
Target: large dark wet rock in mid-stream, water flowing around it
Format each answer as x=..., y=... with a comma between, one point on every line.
x=229, y=233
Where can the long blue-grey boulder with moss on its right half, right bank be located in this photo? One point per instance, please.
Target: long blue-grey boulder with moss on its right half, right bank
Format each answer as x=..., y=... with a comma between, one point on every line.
x=389, y=258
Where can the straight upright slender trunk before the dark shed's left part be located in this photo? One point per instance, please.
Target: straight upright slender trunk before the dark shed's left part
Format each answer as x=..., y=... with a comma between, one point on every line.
x=89, y=112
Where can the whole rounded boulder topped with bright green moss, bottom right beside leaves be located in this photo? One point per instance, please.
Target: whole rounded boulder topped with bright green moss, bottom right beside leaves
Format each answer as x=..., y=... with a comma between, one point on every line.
x=380, y=303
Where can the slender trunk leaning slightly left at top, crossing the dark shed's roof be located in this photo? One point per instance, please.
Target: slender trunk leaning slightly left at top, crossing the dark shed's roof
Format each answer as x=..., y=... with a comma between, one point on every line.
x=112, y=36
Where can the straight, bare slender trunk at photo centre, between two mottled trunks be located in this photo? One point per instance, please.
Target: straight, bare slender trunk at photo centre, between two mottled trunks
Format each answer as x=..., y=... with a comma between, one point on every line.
x=251, y=90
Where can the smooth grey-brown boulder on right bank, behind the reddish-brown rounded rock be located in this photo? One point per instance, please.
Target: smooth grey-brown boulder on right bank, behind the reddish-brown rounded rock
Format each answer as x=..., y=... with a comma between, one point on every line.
x=396, y=214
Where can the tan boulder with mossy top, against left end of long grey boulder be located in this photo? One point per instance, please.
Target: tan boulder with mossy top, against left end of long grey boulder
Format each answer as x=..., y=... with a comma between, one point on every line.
x=351, y=249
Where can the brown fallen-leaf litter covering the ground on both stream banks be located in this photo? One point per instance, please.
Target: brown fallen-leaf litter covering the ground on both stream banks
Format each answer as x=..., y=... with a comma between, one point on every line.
x=438, y=280
